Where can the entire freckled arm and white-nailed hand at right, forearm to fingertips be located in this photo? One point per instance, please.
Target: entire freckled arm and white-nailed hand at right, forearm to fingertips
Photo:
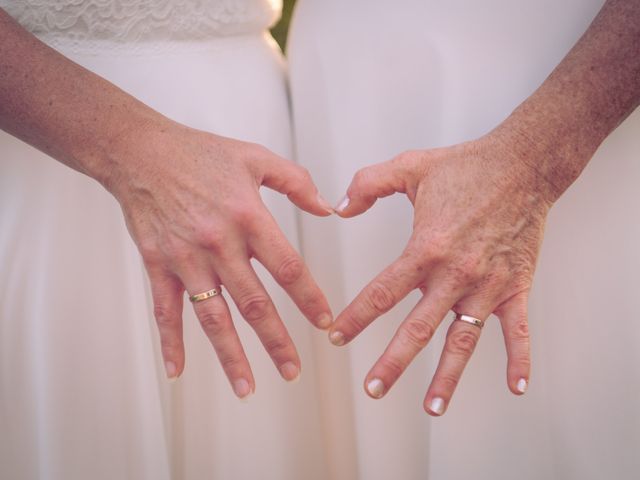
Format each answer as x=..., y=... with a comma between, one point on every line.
x=480, y=209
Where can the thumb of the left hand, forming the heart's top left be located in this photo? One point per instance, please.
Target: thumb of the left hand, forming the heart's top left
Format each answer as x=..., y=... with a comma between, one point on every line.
x=295, y=182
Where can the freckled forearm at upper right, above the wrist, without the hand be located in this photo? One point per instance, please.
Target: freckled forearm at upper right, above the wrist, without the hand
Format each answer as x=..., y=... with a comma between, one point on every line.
x=586, y=97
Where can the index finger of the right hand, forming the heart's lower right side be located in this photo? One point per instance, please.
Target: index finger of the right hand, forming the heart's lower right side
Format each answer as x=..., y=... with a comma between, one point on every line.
x=390, y=286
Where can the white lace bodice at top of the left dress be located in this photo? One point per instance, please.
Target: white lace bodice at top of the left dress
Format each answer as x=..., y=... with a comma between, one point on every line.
x=139, y=21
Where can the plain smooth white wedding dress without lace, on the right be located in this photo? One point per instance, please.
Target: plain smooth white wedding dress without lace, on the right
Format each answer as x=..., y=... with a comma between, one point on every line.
x=372, y=78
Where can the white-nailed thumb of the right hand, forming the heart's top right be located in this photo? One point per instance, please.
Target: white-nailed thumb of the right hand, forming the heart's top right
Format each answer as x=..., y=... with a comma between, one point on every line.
x=371, y=183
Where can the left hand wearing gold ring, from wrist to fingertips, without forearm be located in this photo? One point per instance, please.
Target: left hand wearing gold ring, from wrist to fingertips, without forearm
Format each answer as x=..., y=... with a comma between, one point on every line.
x=192, y=205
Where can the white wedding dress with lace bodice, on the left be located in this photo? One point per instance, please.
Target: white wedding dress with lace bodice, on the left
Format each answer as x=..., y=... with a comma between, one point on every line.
x=83, y=393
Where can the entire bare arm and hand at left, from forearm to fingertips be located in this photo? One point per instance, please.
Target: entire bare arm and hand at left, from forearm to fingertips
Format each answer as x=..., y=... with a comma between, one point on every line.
x=190, y=200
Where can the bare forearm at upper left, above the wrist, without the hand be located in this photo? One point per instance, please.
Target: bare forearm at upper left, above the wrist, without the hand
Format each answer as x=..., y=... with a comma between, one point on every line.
x=61, y=108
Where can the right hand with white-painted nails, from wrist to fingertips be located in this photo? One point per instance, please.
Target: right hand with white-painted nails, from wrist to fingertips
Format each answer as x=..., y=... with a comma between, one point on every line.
x=477, y=230
